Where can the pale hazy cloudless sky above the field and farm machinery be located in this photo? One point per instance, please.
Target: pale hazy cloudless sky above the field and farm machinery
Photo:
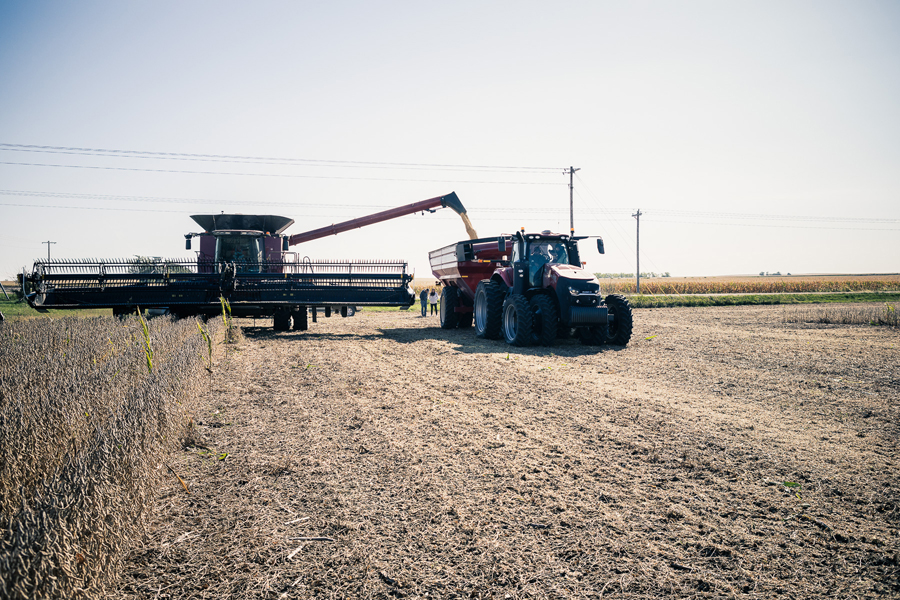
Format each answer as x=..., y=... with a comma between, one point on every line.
x=754, y=136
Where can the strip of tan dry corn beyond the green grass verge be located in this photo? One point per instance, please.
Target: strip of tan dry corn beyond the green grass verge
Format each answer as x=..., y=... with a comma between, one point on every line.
x=764, y=286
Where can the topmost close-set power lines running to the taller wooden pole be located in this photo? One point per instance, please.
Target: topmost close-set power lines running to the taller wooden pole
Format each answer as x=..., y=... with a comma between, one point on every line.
x=264, y=159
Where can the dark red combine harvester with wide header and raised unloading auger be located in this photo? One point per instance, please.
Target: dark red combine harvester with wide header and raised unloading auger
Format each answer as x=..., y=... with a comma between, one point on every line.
x=245, y=259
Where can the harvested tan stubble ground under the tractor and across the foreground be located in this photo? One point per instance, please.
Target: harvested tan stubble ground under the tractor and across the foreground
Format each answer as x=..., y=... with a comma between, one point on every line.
x=382, y=457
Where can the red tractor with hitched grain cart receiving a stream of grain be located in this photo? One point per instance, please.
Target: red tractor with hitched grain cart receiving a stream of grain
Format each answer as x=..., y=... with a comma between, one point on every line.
x=529, y=288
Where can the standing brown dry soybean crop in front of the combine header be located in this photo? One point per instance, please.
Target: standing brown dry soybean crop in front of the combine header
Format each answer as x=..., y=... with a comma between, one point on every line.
x=84, y=428
